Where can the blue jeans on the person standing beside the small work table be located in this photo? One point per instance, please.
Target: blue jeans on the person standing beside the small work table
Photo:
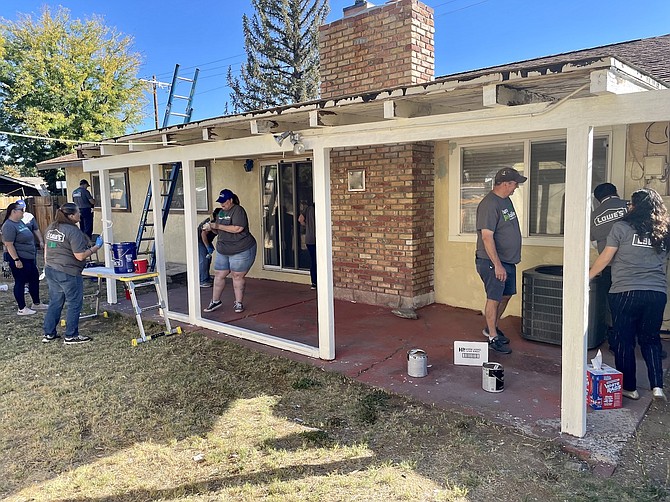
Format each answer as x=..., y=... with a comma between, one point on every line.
x=63, y=288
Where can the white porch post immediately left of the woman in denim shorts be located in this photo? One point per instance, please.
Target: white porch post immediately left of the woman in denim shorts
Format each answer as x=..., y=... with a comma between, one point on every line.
x=191, y=239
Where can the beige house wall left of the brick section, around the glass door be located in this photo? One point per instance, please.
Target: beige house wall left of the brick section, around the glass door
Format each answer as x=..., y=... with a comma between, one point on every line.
x=223, y=174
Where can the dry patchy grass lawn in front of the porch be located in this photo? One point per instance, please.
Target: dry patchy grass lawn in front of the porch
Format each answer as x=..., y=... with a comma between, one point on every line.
x=190, y=418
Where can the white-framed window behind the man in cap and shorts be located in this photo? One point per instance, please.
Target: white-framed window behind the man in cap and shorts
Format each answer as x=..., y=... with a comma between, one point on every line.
x=543, y=162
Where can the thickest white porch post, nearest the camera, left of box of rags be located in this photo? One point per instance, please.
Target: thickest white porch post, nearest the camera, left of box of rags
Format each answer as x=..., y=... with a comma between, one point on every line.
x=575, y=279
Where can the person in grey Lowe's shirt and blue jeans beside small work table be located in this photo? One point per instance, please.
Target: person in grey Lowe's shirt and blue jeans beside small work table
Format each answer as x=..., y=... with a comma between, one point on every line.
x=65, y=254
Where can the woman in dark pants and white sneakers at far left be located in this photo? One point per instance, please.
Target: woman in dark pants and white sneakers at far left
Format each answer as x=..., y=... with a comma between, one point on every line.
x=21, y=254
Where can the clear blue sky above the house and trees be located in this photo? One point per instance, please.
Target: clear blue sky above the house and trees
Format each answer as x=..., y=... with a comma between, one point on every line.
x=469, y=34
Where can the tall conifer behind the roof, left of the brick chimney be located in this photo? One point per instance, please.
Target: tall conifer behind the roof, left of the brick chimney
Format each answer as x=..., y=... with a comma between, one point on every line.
x=281, y=42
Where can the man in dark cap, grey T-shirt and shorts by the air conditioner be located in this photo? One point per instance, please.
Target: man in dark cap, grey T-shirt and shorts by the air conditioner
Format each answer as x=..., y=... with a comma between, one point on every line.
x=498, y=252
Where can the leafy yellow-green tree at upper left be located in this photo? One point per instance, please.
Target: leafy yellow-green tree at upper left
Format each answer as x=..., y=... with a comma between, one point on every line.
x=63, y=78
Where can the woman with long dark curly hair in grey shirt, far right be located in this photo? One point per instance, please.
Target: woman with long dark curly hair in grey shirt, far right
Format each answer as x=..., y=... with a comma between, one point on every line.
x=637, y=248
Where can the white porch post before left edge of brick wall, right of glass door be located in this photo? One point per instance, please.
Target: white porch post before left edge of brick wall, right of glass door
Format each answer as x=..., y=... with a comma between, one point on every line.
x=324, y=252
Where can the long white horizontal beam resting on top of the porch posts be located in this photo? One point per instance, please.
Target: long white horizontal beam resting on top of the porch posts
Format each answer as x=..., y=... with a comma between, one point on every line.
x=597, y=111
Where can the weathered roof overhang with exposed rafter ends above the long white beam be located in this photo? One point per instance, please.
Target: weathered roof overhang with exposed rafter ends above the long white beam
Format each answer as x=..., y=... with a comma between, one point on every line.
x=441, y=97
